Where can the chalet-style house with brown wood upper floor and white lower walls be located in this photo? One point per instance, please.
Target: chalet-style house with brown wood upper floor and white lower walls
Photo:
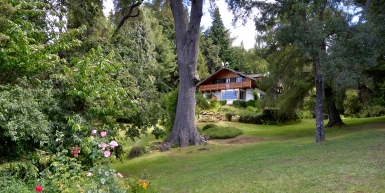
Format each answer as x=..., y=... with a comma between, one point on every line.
x=227, y=84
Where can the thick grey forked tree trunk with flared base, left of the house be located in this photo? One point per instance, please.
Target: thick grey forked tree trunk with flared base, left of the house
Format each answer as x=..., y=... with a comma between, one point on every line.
x=184, y=130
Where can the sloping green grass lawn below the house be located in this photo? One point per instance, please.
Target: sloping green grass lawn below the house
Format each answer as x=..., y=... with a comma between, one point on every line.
x=285, y=159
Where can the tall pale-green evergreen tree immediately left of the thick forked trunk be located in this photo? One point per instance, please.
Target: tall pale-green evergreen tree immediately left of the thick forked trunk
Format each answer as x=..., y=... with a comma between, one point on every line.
x=134, y=46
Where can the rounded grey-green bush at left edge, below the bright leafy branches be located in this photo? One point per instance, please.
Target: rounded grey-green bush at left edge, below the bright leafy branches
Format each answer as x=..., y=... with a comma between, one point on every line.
x=24, y=124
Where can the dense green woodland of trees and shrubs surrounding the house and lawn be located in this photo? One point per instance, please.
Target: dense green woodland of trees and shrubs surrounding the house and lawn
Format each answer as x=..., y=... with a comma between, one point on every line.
x=66, y=69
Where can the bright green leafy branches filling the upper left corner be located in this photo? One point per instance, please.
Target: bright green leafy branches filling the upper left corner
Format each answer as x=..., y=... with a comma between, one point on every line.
x=24, y=51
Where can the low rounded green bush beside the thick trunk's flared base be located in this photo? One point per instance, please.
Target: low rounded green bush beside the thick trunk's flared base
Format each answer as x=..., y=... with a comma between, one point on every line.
x=222, y=132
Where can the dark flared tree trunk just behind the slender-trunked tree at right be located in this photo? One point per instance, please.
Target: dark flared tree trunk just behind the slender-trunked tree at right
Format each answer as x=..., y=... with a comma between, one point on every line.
x=334, y=116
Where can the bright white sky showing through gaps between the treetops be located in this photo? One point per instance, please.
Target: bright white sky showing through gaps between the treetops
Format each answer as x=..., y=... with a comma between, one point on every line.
x=241, y=33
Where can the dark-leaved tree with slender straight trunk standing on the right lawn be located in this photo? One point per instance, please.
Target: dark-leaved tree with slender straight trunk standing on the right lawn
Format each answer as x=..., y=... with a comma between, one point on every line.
x=312, y=28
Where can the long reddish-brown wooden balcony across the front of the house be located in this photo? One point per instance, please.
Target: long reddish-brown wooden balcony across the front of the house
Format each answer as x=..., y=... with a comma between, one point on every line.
x=226, y=86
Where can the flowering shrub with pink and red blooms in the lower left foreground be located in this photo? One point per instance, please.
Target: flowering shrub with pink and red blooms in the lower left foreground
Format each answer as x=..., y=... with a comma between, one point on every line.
x=66, y=174
